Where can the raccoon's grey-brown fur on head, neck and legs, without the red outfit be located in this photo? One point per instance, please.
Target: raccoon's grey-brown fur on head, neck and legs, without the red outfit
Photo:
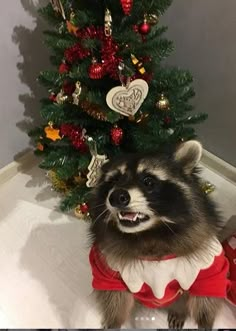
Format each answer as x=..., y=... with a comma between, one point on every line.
x=153, y=206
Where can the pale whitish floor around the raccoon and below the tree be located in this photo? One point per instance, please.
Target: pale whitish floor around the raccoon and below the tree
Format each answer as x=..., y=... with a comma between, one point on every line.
x=45, y=279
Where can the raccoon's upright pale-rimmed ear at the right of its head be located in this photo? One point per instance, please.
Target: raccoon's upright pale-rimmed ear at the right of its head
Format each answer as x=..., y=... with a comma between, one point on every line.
x=188, y=155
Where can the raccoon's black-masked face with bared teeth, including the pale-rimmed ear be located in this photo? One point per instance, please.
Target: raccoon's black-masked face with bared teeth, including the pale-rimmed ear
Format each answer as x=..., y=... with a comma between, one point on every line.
x=141, y=192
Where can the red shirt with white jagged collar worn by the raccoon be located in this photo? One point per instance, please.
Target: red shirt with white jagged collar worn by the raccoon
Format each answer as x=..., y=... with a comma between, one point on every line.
x=159, y=283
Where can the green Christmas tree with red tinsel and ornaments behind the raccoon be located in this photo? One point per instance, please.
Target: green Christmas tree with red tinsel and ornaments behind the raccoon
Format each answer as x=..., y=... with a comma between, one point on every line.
x=109, y=92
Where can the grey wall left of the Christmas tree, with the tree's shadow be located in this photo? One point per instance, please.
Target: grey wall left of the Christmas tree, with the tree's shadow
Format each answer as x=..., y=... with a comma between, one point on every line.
x=22, y=56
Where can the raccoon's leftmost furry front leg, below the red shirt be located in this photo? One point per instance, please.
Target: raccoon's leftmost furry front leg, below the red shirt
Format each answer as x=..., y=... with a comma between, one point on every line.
x=115, y=307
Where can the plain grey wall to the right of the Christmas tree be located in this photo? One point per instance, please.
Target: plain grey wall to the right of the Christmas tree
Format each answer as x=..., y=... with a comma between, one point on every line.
x=204, y=35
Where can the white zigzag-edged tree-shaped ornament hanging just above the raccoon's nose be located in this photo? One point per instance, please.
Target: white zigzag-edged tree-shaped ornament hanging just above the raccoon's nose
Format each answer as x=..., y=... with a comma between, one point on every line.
x=94, y=169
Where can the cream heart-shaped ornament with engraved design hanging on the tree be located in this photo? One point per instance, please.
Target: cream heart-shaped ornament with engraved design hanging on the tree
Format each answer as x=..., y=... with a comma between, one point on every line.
x=128, y=100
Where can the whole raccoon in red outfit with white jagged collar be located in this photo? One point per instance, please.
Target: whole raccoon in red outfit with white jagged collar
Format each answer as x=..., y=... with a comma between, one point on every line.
x=154, y=239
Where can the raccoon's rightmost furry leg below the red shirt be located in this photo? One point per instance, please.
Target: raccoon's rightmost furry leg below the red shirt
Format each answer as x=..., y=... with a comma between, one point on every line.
x=204, y=310
